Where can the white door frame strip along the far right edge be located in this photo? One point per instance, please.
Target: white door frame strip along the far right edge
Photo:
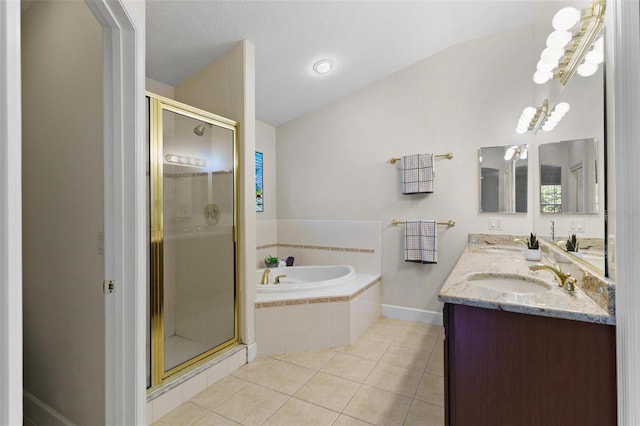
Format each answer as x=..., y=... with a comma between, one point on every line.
x=625, y=16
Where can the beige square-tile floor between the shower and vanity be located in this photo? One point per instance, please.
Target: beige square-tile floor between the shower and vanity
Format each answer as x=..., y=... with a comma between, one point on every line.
x=392, y=375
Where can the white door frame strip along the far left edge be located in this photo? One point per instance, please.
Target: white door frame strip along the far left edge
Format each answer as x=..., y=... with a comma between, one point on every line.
x=10, y=215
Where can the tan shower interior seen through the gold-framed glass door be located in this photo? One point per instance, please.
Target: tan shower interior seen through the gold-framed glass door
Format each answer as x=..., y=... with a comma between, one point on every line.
x=197, y=257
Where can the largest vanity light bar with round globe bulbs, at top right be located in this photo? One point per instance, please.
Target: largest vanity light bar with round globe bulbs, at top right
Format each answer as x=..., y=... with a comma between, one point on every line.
x=571, y=48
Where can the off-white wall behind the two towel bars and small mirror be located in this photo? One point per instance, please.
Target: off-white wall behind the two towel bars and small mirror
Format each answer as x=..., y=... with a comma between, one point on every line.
x=458, y=100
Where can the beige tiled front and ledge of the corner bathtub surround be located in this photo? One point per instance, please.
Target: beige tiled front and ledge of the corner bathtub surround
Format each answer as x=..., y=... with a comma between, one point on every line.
x=337, y=317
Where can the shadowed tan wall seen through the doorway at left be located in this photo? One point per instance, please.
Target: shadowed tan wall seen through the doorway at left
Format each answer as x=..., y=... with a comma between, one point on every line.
x=64, y=352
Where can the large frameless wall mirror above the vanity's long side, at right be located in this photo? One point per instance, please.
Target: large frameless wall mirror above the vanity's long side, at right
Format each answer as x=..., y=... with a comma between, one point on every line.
x=569, y=198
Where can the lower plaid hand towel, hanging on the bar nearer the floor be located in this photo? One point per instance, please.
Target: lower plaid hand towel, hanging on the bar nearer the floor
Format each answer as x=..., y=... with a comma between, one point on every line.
x=420, y=241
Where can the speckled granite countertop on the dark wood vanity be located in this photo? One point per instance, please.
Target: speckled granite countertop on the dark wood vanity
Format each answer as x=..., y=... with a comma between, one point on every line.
x=503, y=259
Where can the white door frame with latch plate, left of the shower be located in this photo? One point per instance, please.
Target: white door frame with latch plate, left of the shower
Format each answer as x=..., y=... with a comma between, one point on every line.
x=125, y=251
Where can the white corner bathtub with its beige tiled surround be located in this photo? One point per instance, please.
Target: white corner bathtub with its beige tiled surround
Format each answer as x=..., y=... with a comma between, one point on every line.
x=314, y=307
